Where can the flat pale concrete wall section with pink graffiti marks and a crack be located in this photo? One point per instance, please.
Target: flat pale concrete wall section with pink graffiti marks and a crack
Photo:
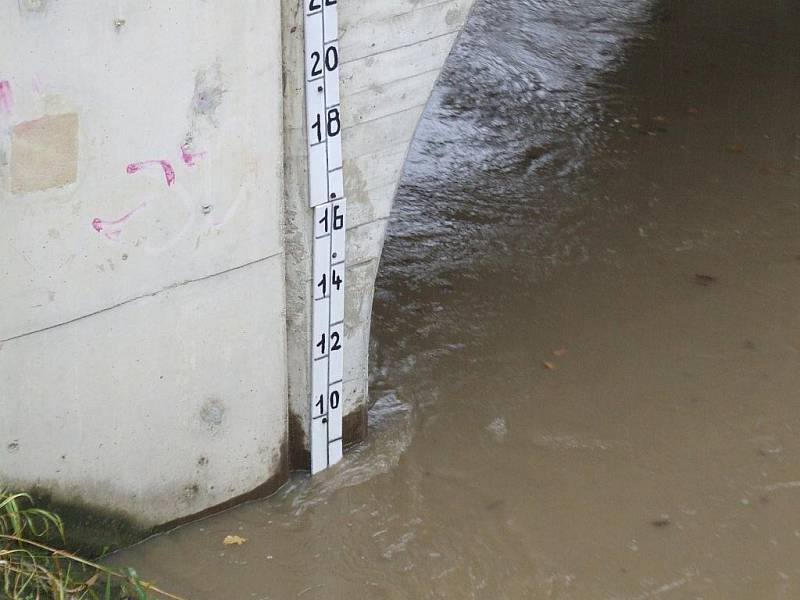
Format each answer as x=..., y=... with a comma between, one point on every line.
x=142, y=361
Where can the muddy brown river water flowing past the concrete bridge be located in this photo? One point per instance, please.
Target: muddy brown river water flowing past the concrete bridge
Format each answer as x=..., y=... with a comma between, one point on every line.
x=586, y=336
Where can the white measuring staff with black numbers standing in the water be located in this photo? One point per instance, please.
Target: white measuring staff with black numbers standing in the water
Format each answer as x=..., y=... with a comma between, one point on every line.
x=326, y=197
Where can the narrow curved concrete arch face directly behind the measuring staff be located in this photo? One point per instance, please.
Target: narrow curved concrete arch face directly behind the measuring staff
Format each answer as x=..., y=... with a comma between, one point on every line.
x=392, y=54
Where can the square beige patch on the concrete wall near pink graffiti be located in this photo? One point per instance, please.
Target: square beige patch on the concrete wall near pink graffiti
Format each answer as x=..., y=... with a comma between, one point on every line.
x=44, y=153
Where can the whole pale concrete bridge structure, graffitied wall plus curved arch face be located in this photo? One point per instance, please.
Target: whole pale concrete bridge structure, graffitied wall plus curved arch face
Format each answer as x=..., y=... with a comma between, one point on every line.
x=154, y=301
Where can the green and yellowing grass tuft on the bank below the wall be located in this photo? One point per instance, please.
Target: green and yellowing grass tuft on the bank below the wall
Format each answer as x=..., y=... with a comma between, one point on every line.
x=32, y=568
